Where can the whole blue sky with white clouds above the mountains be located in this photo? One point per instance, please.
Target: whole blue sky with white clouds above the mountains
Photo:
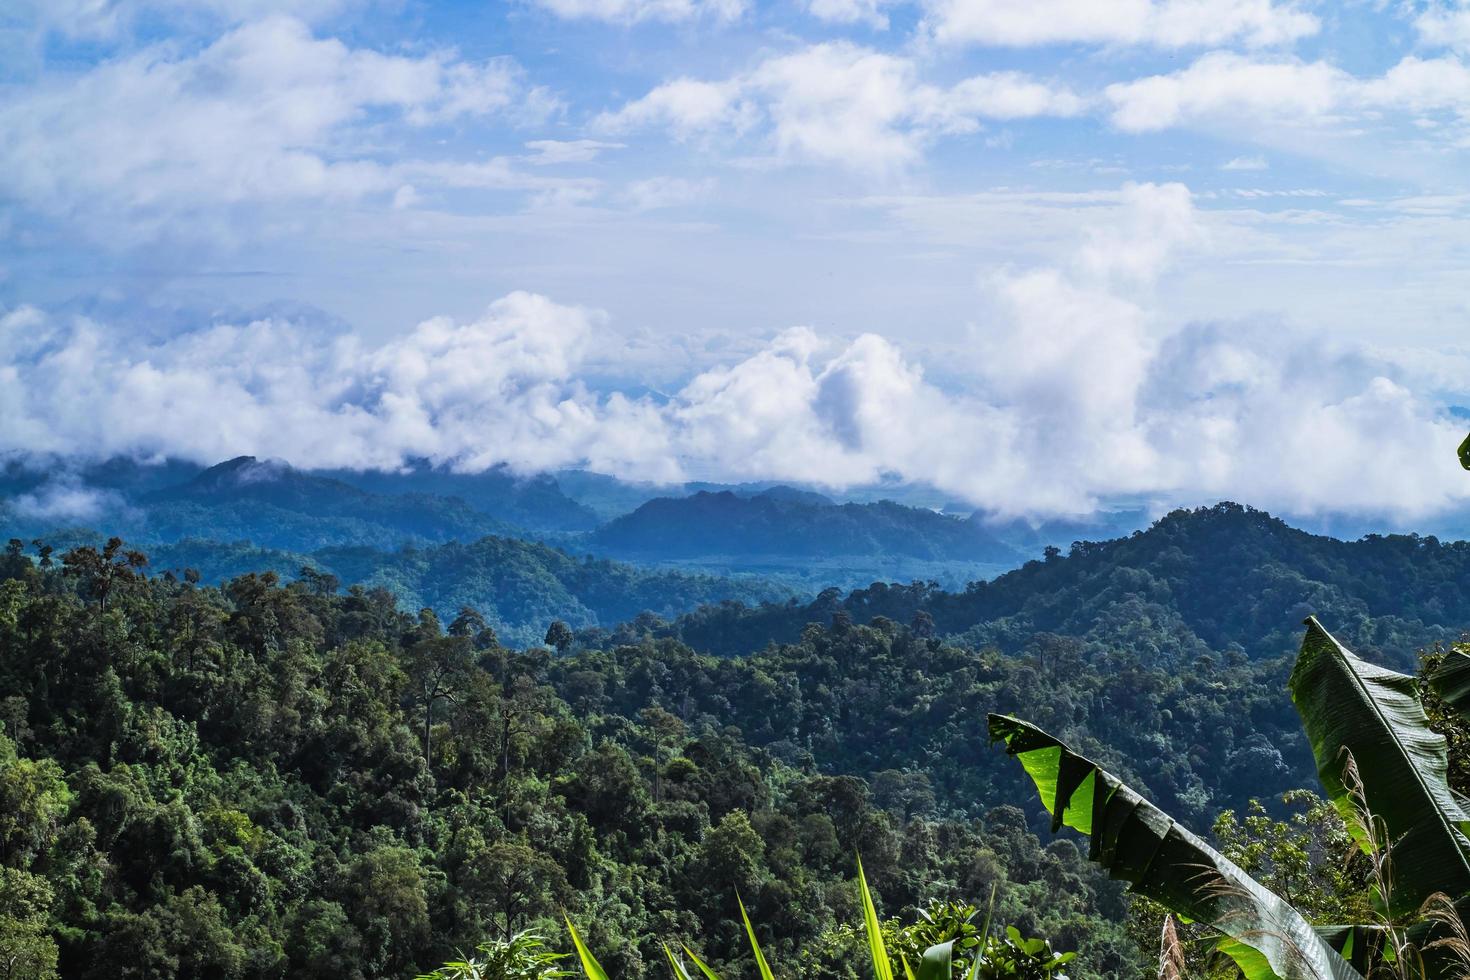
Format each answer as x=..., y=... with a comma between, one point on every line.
x=1046, y=256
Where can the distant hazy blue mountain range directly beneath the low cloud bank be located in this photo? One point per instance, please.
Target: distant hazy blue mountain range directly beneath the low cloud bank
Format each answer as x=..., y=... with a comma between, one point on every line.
x=786, y=534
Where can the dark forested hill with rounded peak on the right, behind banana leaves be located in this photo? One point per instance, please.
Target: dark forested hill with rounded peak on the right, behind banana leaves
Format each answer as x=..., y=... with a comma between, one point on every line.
x=1211, y=580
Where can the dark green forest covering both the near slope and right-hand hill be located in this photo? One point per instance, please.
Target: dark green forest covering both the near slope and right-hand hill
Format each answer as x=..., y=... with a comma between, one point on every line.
x=280, y=778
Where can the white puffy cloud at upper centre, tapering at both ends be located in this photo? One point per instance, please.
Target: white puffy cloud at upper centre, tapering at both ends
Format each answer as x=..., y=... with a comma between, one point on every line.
x=840, y=104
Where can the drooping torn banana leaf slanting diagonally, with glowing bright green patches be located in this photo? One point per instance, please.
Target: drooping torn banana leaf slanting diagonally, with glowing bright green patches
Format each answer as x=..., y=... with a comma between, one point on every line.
x=1140, y=844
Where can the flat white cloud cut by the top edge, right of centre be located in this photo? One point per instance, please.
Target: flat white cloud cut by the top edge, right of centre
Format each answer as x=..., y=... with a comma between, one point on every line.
x=1150, y=23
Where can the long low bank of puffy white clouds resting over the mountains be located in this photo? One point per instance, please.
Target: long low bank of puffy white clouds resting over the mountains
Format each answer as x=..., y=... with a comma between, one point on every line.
x=1075, y=393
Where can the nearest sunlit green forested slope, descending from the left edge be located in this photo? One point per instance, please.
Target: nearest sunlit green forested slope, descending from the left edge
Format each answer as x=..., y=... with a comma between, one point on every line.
x=265, y=782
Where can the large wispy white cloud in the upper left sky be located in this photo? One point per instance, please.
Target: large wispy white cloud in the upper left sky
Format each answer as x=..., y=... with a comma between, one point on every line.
x=267, y=114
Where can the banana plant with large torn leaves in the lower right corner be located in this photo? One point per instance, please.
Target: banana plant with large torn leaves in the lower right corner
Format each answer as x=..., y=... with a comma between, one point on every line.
x=1385, y=772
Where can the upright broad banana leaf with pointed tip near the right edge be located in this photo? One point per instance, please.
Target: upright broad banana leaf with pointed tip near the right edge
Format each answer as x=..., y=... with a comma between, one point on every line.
x=1372, y=715
